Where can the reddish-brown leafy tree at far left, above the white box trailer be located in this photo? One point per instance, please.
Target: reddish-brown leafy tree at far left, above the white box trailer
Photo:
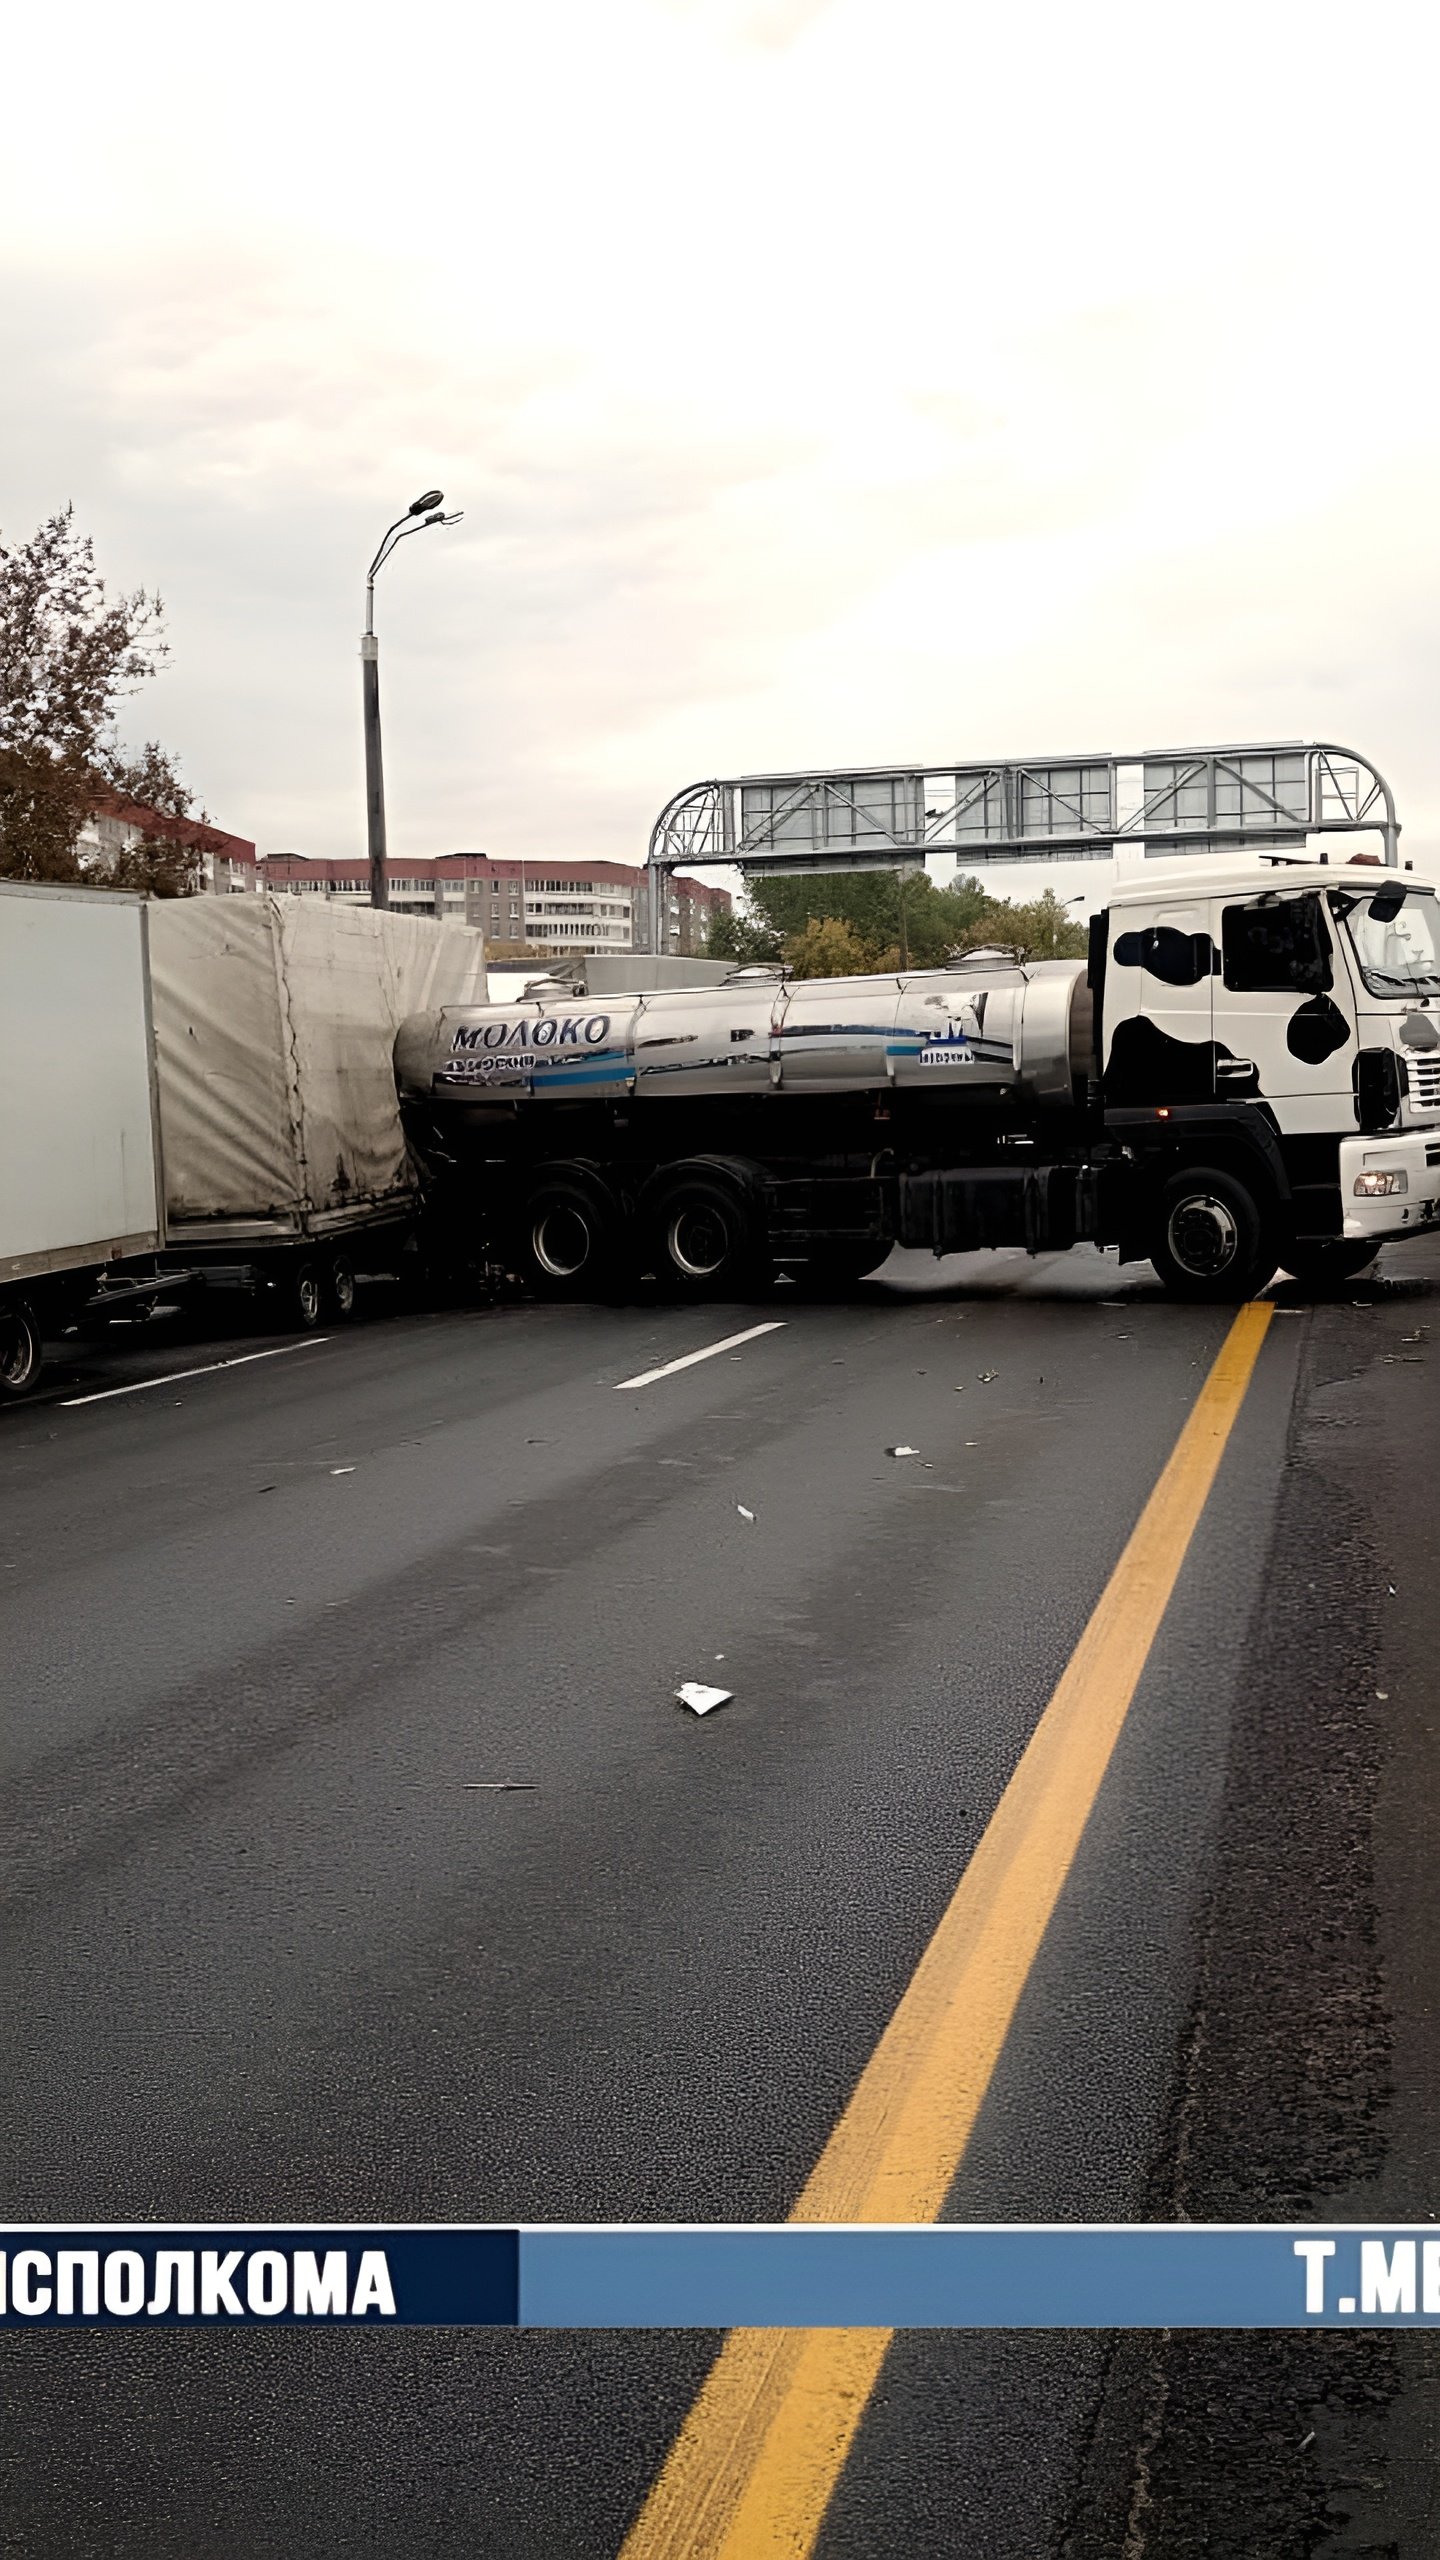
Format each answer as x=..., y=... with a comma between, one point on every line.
x=70, y=654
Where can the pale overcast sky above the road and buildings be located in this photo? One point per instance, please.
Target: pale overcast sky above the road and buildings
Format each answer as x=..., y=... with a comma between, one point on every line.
x=824, y=383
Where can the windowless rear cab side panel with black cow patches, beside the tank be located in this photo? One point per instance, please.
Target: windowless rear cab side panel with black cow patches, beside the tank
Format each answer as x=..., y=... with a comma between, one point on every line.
x=1159, y=1043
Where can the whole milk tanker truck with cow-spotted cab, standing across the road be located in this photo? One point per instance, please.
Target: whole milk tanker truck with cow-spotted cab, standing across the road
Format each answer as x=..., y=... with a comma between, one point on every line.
x=1244, y=1076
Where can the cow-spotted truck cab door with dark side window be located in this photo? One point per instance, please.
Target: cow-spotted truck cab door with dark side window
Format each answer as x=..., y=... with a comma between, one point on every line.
x=1282, y=1010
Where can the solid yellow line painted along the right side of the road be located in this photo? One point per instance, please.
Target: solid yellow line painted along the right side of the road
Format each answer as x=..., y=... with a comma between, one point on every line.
x=765, y=2444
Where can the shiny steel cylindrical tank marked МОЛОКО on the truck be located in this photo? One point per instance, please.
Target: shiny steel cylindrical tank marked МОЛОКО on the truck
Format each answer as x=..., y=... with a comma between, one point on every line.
x=985, y=1025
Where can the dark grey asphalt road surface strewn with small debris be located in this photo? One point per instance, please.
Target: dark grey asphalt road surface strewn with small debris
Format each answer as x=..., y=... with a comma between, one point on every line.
x=275, y=1949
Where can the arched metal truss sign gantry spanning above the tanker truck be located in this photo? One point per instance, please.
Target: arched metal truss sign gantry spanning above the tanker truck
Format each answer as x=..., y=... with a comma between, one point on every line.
x=1042, y=810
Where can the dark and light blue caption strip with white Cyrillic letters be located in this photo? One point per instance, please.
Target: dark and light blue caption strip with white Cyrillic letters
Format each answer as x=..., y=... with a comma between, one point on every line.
x=721, y=2277
